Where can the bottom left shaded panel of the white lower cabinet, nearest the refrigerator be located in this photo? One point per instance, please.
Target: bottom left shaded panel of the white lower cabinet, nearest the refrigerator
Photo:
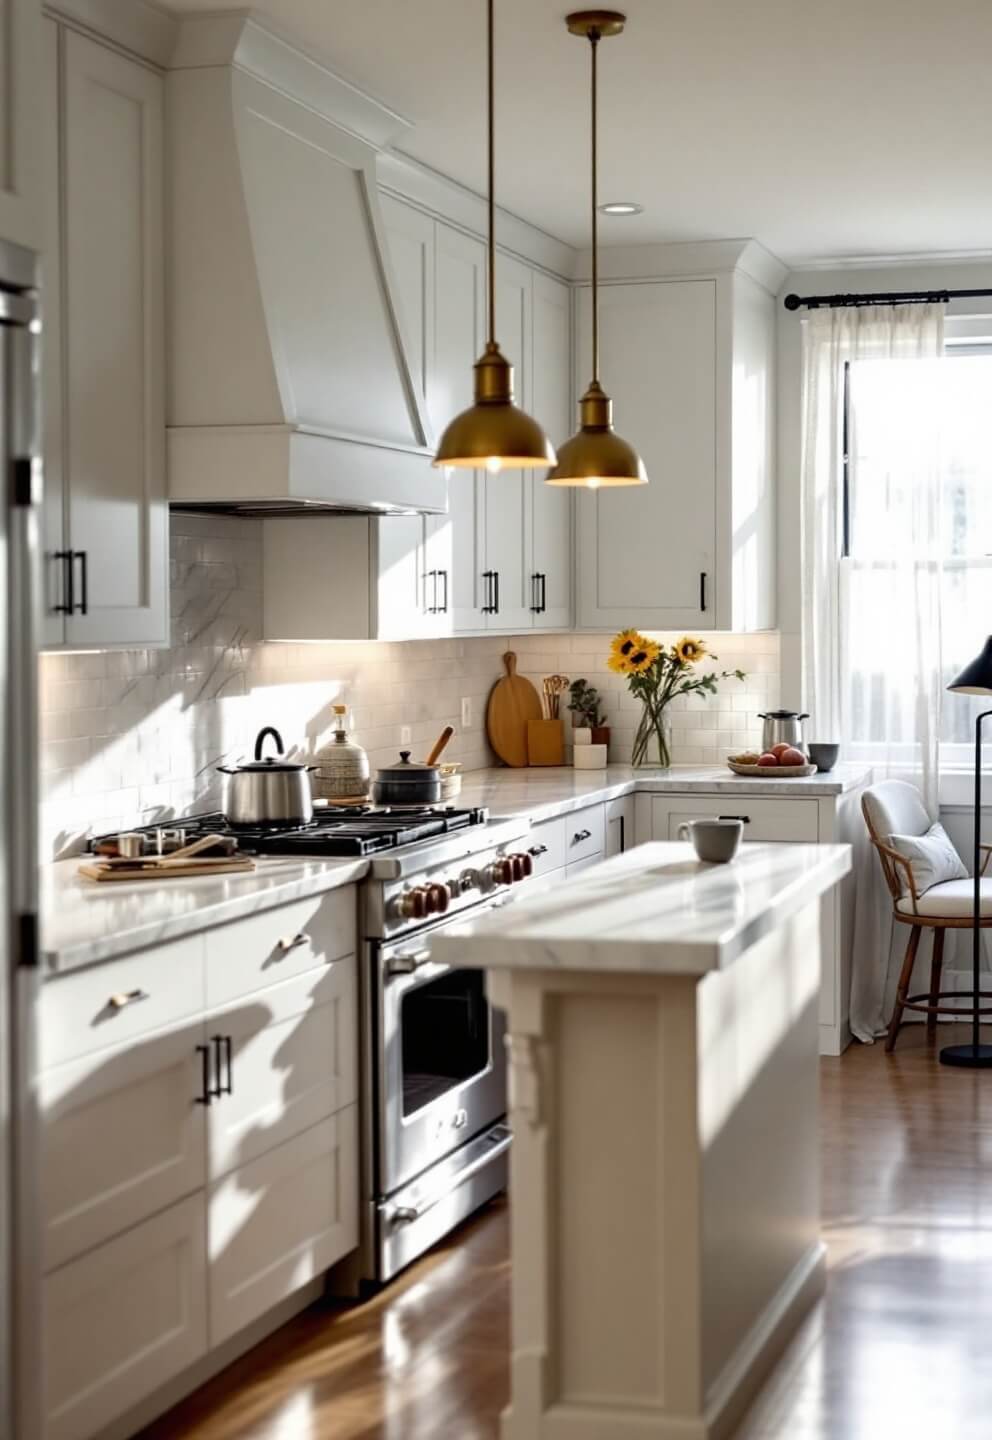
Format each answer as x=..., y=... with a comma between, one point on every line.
x=125, y=1320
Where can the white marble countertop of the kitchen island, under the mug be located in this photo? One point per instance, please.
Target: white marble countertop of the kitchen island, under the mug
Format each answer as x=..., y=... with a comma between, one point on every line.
x=654, y=909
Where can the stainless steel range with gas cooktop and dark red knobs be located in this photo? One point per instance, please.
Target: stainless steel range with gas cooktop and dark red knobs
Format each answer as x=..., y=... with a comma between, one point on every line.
x=434, y=1092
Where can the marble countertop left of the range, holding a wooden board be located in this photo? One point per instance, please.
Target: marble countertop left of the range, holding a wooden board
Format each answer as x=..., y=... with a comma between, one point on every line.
x=84, y=924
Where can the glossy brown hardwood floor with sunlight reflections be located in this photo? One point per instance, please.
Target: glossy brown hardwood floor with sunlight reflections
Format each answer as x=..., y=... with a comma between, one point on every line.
x=899, y=1347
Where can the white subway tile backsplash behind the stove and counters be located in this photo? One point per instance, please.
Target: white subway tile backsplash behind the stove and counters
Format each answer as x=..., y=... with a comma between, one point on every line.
x=135, y=737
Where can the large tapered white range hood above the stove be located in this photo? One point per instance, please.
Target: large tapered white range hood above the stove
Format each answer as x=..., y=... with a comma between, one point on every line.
x=290, y=387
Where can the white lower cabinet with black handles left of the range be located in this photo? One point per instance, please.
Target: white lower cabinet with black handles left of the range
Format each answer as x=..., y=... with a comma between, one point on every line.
x=198, y=1174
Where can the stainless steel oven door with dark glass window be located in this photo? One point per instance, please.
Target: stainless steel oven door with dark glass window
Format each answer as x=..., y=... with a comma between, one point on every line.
x=441, y=1059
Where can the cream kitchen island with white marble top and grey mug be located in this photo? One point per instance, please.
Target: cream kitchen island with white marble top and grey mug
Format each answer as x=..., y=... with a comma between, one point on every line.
x=663, y=1042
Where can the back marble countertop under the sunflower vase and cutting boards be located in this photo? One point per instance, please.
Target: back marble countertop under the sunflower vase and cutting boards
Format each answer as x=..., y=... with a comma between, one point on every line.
x=555, y=791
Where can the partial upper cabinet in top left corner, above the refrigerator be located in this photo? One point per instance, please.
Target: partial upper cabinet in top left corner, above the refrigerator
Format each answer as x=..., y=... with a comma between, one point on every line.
x=21, y=117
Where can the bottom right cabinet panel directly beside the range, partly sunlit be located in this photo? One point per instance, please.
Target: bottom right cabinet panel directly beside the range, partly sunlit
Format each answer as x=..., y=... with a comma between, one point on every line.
x=281, y=1222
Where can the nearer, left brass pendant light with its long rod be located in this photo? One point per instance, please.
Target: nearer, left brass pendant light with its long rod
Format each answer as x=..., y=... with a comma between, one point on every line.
x=495, y=433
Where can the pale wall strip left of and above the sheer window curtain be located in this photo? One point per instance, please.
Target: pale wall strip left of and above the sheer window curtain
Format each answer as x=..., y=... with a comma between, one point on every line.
x=947, y=276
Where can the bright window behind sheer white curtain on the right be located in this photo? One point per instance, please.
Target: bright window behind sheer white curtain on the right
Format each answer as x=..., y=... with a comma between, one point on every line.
x=916, y=565
